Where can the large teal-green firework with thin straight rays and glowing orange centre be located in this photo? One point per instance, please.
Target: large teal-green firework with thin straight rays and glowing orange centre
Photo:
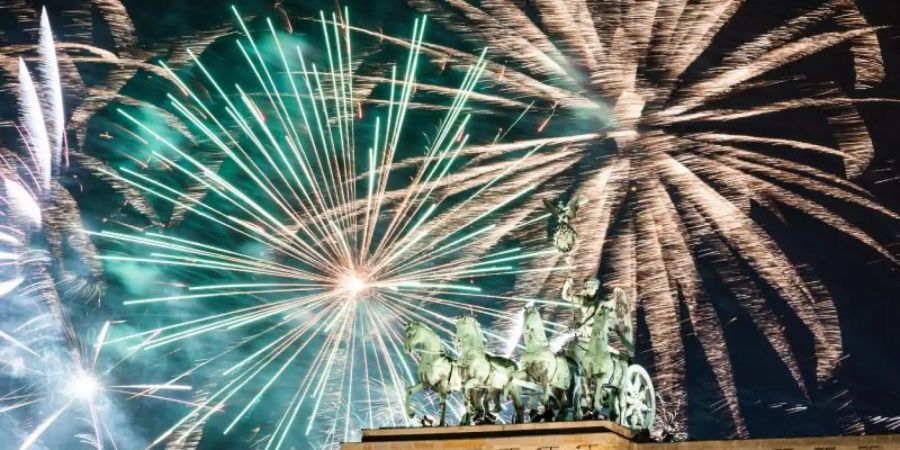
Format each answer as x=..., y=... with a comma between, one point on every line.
x=327, y=259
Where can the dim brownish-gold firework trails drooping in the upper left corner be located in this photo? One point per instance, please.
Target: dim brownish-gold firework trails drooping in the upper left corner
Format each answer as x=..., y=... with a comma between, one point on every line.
x=112, y=65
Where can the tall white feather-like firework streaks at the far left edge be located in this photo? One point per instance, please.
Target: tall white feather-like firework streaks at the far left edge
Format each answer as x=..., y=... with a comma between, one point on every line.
x=35, y=203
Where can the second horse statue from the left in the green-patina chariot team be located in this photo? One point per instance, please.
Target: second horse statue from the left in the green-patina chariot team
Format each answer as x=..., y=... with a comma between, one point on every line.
x=487, y=377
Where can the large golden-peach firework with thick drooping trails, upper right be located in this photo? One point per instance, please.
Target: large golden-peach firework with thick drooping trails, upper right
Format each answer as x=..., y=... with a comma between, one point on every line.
x=656, y=148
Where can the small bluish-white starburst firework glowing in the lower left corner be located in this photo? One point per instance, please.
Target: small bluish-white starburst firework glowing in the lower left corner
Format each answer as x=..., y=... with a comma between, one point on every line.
x=47, y=373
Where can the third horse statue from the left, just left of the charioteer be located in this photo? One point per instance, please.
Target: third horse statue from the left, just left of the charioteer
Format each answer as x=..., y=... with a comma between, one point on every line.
x=556, y=374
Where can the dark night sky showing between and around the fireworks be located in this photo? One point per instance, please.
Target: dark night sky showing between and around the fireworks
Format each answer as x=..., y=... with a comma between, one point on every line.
x=864, y=286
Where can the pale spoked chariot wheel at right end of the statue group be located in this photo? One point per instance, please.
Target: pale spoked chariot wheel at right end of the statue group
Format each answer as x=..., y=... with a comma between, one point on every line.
x=637, y=400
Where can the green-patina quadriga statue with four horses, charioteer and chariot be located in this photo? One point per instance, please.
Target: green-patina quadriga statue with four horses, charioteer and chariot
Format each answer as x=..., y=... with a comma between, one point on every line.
x=606, y=383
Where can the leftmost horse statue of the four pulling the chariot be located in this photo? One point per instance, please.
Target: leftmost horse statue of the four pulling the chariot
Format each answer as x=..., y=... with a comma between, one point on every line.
x=437, y=371
